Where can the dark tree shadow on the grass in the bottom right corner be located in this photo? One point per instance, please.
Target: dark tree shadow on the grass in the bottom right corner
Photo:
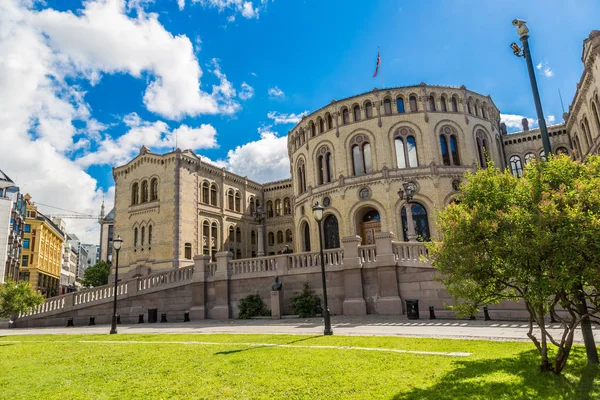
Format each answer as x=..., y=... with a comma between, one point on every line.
x=517, y=377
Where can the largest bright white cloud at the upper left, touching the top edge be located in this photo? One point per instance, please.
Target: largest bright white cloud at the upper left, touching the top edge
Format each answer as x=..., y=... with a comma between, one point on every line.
x=104, y=39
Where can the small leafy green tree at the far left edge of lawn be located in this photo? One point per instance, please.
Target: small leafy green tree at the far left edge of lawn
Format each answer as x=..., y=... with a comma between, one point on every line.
x=17, y=297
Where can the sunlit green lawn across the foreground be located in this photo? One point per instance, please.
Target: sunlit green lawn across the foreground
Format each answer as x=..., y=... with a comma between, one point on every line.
x=173, y=366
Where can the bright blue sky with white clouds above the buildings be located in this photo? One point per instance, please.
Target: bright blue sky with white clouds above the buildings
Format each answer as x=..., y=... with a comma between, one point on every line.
x=87, y=83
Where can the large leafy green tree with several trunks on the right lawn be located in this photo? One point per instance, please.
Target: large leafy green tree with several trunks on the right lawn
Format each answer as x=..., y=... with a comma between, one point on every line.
x=534, y=239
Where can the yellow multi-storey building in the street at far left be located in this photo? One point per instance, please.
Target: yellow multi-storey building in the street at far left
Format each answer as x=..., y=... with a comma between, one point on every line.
x=42, y=251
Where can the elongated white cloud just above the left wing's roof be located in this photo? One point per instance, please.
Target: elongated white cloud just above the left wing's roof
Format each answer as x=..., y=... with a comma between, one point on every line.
x=156, y=135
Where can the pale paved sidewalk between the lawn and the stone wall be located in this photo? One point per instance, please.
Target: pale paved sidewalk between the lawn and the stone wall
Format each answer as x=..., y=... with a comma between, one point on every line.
x=369, y=325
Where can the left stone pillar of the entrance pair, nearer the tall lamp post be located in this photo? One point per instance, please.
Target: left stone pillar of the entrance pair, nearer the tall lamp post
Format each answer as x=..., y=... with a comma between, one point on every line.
x=354, y=301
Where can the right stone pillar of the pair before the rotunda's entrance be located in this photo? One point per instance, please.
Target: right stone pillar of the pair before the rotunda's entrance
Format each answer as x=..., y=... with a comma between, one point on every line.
x=389, y=301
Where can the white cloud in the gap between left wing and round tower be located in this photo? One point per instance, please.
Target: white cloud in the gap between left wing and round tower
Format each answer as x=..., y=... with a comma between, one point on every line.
x=263, y=160
